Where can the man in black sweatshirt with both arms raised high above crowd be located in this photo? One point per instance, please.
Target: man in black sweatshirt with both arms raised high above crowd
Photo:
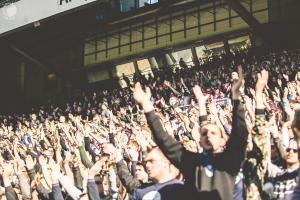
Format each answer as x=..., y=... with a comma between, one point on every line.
x=215, y=169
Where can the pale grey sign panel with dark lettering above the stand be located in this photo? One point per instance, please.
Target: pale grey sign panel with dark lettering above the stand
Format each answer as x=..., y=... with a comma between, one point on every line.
x=18, y=13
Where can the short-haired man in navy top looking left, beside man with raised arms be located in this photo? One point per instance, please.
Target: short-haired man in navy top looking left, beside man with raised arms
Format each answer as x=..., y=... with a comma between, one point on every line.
x=162, y=173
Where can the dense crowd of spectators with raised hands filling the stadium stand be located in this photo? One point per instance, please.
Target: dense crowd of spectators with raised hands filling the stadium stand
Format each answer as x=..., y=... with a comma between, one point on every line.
x=227, y=129
